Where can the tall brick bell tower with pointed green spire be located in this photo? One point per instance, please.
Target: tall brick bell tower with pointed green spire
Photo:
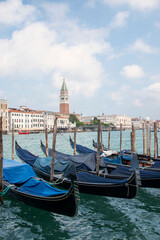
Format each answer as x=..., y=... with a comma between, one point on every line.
x=64, y=99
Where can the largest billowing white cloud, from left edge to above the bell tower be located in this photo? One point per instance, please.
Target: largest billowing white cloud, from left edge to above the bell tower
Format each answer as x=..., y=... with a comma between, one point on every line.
x=36, y=50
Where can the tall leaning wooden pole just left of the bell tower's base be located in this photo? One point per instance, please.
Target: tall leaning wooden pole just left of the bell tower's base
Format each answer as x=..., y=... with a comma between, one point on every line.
x=53, y=150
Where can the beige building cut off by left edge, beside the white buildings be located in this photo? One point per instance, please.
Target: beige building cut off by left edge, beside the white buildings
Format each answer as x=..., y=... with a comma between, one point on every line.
x=4, y=114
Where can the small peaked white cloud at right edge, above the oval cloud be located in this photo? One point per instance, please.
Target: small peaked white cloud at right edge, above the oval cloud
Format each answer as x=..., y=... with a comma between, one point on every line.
x=140, y=46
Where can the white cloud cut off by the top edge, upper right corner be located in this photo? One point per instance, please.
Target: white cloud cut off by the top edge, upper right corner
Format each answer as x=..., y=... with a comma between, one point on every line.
x=135, y=4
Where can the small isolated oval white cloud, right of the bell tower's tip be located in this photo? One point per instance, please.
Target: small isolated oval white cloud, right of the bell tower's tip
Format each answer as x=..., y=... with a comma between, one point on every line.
x=132, y=71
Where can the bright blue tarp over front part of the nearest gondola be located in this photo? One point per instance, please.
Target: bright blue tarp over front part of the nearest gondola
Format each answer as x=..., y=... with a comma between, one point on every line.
x=40, y=188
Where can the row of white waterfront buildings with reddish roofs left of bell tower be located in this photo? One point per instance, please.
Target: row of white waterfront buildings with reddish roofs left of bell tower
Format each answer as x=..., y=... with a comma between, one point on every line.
x=32, y=120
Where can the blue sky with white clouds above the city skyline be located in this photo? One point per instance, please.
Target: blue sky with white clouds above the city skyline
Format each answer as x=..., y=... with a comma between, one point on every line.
x=108, y=51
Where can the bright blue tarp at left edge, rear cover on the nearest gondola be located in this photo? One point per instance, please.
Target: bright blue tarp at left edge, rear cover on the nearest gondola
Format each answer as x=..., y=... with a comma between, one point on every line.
x=16, y=172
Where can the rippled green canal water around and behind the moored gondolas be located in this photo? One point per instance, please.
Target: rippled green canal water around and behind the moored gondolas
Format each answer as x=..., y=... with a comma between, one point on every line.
x=98, y=217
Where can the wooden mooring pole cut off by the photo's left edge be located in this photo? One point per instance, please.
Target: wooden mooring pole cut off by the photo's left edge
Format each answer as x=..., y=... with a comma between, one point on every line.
x=1, y=159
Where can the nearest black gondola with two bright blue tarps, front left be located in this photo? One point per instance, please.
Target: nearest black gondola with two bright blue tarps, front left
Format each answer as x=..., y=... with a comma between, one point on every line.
x=24, y=185
